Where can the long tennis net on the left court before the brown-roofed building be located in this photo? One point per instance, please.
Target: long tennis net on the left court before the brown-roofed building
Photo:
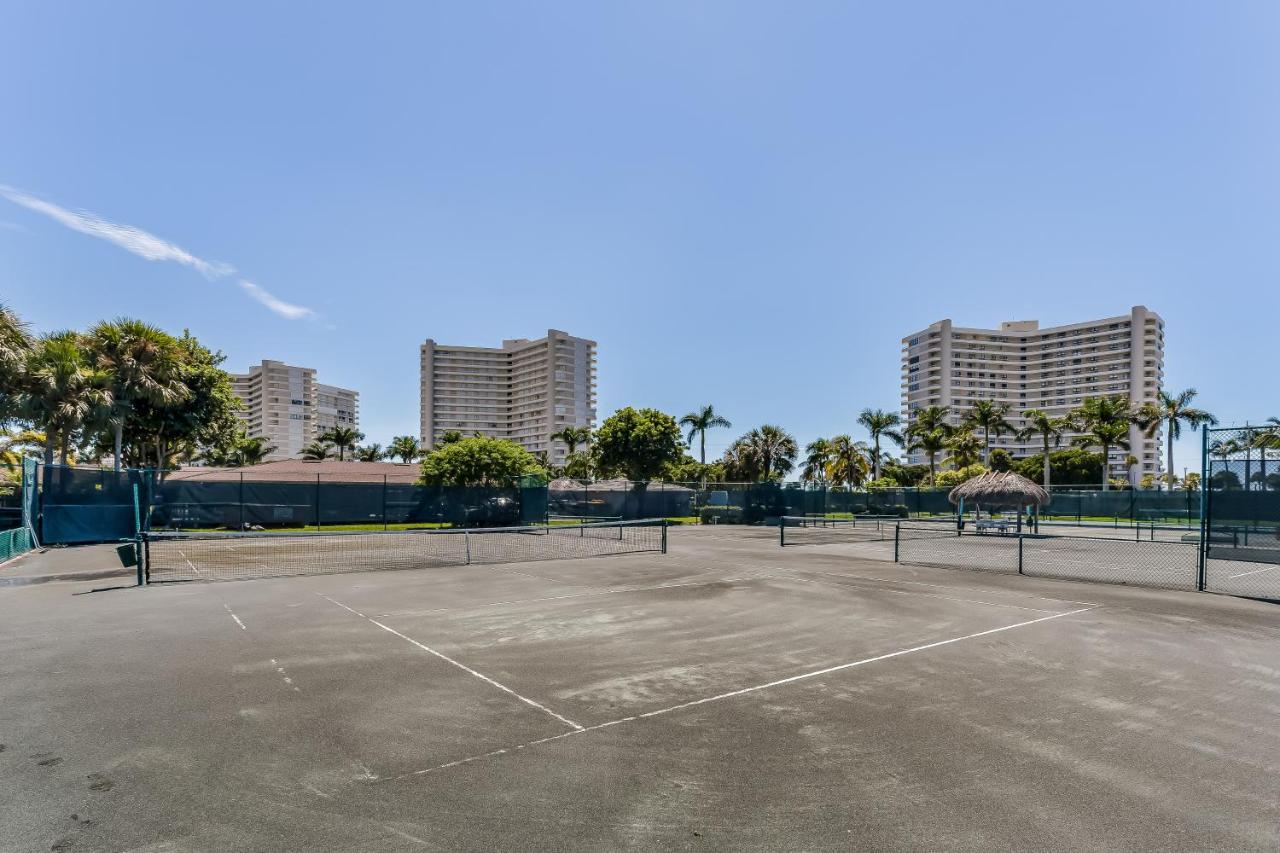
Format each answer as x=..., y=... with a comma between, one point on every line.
x=237, y=556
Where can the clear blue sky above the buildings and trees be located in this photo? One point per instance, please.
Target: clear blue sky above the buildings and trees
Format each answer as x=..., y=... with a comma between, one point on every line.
x=746, y=204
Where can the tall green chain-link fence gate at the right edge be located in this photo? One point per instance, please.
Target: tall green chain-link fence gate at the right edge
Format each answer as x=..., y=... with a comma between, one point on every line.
x=1241, y=521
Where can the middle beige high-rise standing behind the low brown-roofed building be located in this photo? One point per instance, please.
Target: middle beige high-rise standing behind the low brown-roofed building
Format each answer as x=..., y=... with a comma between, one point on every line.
x=524, y=391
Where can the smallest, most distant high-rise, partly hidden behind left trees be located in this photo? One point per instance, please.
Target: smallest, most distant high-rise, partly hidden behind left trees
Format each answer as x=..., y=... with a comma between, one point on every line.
x=285, y=405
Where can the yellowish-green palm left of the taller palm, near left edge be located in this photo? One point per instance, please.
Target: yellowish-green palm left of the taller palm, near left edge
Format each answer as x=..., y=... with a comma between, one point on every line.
x=65, y=391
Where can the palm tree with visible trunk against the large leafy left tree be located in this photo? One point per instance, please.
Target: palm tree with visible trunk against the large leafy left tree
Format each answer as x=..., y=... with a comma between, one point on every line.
x=144, y=364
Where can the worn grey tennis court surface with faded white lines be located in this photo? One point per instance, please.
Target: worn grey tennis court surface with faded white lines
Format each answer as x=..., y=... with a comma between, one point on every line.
x=726, y=695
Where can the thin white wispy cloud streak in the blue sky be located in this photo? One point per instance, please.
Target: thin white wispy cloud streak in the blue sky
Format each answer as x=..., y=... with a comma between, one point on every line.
x=149, y=247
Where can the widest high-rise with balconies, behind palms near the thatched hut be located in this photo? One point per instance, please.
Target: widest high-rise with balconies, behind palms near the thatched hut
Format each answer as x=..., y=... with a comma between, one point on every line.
x=1053, y=370
